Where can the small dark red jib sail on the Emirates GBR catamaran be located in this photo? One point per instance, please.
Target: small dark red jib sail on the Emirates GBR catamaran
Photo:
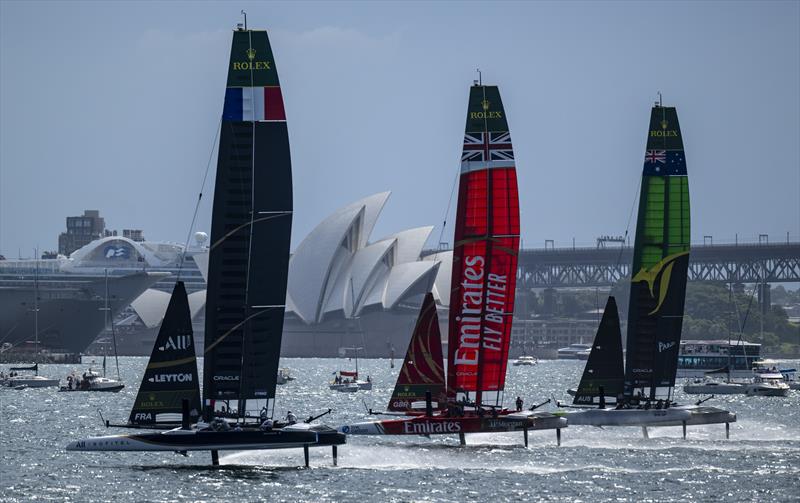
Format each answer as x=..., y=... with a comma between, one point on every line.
x=423, y=367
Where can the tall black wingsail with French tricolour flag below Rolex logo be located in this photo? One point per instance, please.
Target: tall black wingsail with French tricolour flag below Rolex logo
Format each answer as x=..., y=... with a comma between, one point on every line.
x=250, y=231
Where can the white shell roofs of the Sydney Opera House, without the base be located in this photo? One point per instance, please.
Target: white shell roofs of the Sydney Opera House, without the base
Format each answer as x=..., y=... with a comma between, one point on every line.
x=337, y=272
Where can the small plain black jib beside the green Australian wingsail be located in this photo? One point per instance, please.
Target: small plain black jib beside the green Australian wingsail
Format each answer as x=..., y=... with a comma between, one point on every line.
x=604, y=368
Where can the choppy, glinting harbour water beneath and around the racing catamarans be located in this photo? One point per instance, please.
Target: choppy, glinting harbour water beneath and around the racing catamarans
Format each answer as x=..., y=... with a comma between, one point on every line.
x=761, y=461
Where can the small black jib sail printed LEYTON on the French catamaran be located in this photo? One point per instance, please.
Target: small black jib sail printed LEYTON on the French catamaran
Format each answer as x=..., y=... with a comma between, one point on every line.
x=171, y=373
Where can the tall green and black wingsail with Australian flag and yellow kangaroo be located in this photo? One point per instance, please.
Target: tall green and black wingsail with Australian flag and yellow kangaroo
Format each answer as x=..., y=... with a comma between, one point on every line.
x=660, y=262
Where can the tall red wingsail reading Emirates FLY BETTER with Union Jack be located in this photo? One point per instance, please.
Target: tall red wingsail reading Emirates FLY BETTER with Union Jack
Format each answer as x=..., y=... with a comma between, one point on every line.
x=486, y=246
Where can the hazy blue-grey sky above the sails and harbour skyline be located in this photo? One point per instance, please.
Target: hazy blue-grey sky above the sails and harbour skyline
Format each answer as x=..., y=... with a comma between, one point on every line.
x=114, y=106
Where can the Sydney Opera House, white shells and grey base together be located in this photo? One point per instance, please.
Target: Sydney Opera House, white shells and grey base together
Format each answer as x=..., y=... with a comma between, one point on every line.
x=347, y=290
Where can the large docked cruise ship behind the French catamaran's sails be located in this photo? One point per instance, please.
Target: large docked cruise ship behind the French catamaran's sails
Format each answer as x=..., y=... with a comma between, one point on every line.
x=73, y=292
